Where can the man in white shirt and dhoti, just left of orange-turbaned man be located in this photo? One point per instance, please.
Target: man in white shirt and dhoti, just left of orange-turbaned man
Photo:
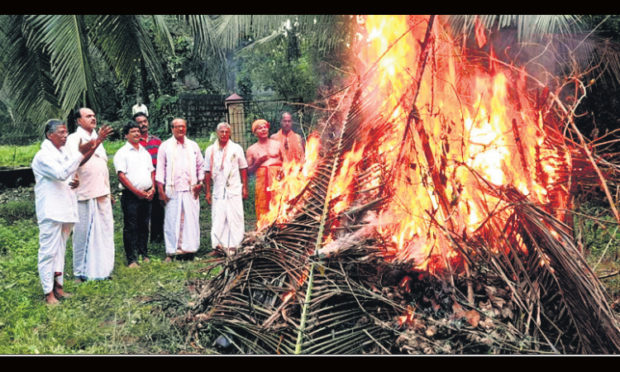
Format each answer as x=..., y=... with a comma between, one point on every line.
x=226, y=166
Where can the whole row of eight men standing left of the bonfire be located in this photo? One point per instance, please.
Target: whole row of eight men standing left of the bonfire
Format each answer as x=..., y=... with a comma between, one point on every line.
x=161, y=182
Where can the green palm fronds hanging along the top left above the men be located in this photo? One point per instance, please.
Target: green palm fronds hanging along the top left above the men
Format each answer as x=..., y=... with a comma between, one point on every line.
x=47, y=61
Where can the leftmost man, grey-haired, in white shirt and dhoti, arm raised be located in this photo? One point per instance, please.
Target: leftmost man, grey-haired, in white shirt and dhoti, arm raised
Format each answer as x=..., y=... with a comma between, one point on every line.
x=56, y=204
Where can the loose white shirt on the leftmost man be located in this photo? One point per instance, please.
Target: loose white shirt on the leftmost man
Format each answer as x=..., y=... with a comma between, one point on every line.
x=53, y=169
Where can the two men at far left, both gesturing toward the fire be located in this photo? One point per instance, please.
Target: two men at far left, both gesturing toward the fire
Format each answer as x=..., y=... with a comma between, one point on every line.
x=72, y=193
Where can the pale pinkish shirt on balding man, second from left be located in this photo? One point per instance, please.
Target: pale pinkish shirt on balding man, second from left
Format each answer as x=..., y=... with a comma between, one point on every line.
x=93, y=175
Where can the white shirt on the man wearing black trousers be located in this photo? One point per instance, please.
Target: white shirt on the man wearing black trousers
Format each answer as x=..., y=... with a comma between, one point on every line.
x=136, y=164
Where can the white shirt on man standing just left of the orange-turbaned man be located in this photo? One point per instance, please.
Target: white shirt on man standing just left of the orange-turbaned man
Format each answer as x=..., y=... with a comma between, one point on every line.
x=227, y=162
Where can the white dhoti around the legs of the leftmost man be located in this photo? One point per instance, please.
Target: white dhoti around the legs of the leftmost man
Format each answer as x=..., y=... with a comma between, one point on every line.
x=53, y=237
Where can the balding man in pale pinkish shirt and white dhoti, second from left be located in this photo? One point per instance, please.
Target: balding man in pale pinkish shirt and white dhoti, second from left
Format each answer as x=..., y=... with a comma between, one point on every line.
x=93, y=235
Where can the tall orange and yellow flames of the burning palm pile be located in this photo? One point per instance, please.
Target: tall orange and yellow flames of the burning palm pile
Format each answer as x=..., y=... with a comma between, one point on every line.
x=476, y=130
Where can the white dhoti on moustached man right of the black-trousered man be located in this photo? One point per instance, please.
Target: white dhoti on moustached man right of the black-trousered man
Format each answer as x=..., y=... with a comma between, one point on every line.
x=181, y=223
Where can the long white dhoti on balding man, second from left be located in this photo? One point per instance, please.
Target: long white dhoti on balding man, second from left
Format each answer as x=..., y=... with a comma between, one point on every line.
x=93, y=239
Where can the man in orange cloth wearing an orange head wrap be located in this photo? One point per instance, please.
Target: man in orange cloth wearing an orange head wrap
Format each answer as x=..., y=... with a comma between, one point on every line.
x=265, y=159
